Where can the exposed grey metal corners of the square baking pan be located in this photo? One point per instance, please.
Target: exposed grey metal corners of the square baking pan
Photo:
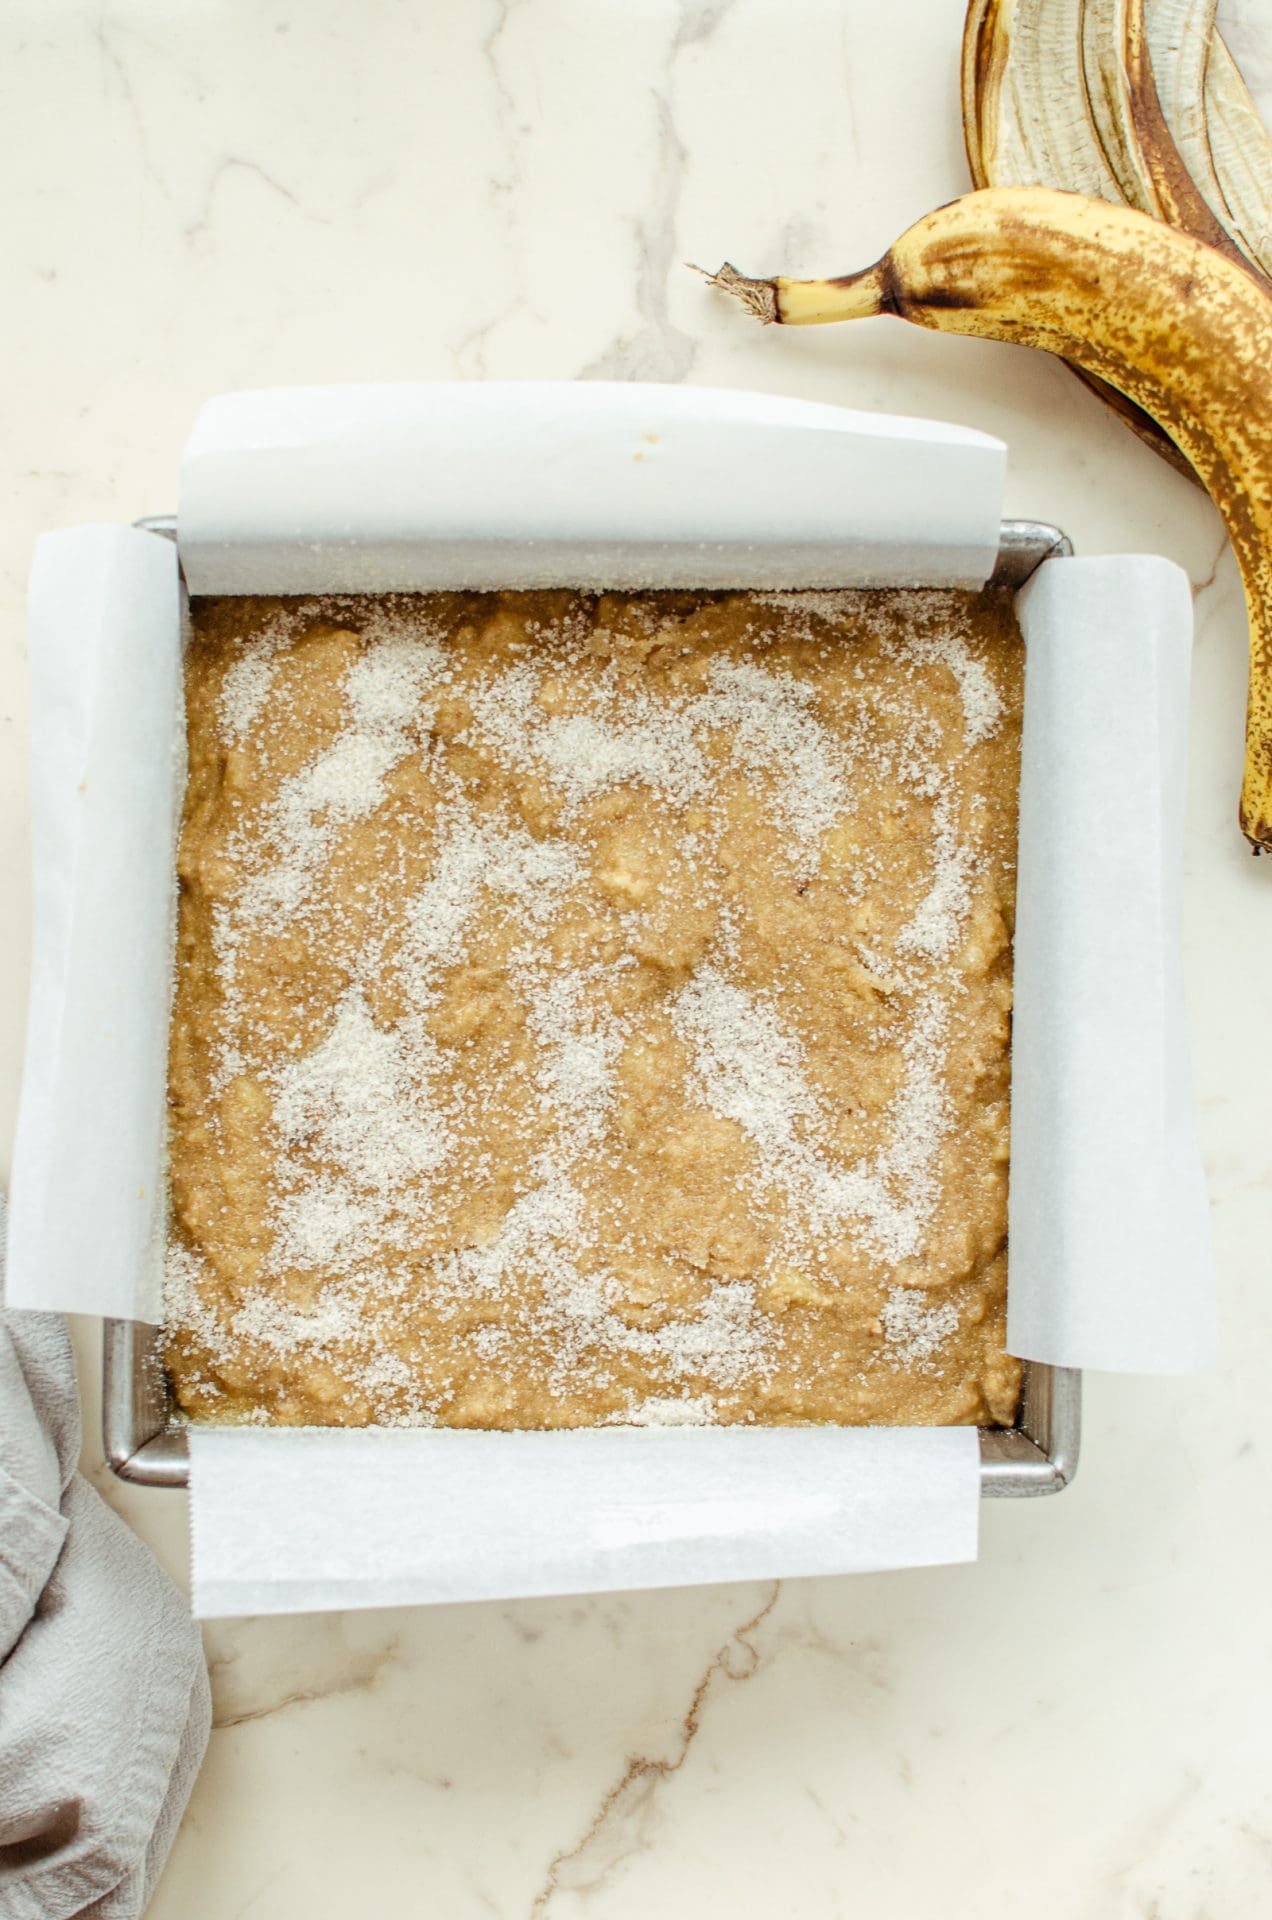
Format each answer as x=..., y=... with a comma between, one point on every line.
x=145, y=1439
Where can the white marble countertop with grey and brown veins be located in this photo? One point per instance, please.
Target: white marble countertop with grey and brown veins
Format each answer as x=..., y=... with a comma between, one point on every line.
x=239, y=193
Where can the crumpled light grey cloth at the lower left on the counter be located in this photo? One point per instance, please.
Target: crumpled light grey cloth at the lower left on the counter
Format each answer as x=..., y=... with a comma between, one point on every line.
x=105, y=1704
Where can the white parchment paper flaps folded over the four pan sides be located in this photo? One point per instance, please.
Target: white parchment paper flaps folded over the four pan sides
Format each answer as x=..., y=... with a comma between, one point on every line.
x=510, y=487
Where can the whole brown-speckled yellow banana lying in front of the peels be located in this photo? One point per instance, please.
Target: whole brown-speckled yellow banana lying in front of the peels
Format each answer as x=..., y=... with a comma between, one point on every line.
x=1160, y=316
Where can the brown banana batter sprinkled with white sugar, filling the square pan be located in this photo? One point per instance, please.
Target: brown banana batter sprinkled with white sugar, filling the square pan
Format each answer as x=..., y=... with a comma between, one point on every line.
x=595, y=1009
